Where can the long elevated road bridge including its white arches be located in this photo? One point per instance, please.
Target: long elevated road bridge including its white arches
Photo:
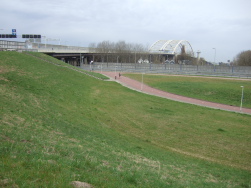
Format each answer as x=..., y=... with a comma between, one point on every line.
x=159, y=52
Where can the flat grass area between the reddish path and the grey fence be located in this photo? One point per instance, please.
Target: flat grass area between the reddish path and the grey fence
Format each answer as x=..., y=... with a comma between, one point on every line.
x=219, y=90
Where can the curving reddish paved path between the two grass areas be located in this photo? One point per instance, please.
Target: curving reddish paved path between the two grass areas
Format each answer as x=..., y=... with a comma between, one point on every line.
x=138, y=86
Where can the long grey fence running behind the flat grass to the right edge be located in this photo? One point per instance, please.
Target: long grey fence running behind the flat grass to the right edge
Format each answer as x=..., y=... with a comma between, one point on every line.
x=217, y=70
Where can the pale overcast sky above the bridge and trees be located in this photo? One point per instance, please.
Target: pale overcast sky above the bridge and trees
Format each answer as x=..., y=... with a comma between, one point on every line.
x=219, y=29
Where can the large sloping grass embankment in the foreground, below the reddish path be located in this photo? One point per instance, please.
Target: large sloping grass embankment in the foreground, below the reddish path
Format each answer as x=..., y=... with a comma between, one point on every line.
x=59, y=125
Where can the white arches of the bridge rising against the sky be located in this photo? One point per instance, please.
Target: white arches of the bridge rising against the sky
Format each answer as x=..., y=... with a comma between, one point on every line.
x=171, y=47
